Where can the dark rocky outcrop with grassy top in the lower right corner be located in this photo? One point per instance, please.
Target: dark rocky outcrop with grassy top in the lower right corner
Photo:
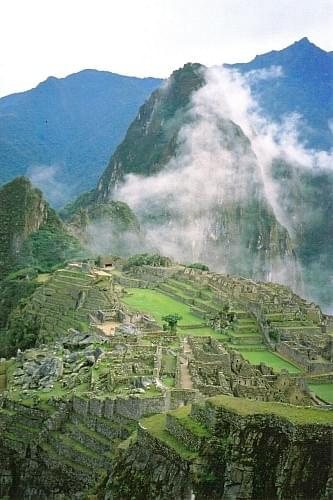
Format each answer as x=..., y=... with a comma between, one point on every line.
x=229, y=448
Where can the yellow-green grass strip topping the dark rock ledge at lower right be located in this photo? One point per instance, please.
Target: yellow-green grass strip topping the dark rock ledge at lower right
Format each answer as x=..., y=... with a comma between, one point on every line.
x=295, y=414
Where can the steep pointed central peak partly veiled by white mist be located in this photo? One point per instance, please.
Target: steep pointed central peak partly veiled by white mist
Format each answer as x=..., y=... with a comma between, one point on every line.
x=192, y=179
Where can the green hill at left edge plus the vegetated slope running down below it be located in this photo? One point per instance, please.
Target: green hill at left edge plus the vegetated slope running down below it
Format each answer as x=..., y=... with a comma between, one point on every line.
x=32, y=240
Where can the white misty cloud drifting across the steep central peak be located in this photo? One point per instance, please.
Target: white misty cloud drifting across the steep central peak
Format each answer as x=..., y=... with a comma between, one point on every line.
x=216, y=166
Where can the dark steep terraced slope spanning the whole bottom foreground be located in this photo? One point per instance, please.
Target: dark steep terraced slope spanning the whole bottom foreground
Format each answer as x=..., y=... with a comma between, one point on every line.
x=220, y=448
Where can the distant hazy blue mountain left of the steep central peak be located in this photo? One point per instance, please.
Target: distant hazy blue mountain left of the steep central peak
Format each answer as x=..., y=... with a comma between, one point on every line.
x=62, y=133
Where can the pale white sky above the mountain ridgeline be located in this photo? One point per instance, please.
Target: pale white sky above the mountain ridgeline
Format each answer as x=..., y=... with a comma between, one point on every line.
x=42, y=38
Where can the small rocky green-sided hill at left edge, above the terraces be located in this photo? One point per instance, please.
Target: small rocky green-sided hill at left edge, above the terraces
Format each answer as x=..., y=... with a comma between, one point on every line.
x=30, y=231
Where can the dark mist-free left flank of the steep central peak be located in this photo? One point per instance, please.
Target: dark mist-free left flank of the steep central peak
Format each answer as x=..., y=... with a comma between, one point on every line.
x=163, y=106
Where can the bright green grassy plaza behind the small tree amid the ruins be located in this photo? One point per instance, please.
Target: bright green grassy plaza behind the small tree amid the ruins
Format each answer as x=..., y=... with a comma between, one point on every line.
x=157, y=305
